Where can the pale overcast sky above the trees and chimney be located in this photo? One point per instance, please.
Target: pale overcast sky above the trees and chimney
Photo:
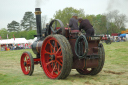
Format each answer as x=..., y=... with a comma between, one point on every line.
x=15, y=9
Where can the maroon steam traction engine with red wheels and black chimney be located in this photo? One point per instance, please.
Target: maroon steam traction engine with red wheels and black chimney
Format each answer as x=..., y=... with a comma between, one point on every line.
x=59, y=50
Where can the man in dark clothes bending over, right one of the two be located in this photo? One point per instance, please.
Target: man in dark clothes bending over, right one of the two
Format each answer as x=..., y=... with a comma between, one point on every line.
x=86, y=26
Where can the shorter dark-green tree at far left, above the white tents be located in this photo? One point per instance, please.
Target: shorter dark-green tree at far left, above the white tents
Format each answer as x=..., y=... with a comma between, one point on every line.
x=13, y=26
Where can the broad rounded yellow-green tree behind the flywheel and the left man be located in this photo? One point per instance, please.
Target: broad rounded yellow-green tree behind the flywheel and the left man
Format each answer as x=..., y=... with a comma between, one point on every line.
x=65, y=14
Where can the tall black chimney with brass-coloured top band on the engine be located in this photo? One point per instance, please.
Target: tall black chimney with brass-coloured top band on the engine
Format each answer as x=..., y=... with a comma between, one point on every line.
x=38, y=22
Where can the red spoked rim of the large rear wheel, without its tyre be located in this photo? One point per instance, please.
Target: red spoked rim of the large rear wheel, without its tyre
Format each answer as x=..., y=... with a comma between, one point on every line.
x=51, y=57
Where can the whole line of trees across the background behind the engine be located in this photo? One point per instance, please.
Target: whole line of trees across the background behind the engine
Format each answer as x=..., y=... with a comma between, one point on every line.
x=112, y=21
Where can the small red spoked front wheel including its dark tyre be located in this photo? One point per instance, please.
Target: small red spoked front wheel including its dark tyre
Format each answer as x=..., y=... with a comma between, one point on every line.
x=27, y=63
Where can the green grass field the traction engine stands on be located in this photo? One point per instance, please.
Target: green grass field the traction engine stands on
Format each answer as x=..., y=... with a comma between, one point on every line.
x=114, y=72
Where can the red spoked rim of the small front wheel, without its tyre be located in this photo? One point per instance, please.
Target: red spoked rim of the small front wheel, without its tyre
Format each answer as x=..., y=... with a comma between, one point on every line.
x=25, y=63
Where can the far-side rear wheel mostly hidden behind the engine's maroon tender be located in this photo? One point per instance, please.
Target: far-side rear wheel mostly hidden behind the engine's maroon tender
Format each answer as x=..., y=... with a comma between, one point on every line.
x=94, y=71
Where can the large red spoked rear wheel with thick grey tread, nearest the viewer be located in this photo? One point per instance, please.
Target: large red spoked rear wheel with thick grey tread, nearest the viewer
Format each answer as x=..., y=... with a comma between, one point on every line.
x=56, y=57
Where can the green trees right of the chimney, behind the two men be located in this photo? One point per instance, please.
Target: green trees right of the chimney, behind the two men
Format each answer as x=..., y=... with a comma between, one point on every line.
x=114, y=23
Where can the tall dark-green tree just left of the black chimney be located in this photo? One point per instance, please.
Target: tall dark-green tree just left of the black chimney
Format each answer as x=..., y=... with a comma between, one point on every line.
x=28, y=22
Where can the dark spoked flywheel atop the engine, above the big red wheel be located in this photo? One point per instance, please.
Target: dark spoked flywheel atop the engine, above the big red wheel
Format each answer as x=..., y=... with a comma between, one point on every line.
x=53, y=29
